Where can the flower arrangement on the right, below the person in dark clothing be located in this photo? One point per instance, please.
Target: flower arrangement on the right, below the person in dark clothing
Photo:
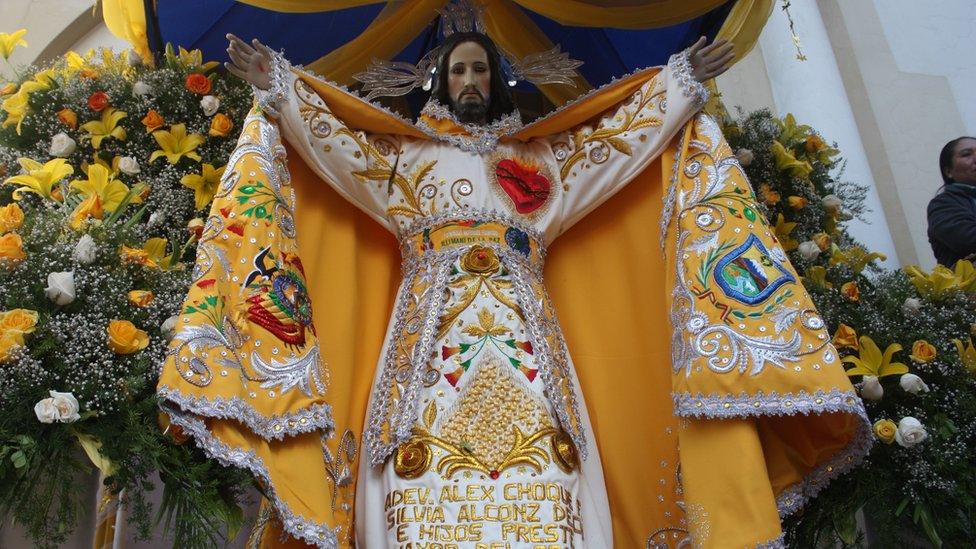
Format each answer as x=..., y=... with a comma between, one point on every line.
x=906, y=339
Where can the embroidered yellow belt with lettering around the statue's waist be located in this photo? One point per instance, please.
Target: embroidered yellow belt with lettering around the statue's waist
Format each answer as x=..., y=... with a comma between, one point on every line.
x=462, y=233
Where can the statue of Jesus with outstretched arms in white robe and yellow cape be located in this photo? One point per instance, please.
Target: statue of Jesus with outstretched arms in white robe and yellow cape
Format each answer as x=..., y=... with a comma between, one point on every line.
x=476, y=432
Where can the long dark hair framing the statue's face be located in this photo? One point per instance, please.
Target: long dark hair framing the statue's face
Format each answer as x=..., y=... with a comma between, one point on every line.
x=500, y=103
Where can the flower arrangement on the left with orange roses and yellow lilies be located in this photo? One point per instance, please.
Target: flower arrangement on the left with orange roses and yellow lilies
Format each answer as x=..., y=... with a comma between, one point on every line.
x=106, y=168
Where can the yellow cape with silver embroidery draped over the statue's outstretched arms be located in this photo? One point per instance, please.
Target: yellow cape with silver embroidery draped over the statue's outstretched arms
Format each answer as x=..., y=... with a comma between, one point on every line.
x=753, y=445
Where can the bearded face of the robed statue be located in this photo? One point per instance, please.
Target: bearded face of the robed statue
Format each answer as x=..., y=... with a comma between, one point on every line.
x=469, y=81
